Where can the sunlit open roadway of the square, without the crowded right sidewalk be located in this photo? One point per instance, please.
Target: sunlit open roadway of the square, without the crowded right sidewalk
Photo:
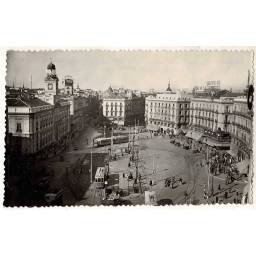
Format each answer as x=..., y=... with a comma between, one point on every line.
x=158, y=160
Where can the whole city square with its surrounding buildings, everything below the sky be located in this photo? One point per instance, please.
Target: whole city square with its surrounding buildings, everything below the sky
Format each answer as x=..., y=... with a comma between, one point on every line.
x=183, y=148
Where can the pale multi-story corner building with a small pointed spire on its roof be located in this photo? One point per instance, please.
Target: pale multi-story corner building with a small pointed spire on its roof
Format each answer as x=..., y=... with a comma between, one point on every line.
x=167, y=111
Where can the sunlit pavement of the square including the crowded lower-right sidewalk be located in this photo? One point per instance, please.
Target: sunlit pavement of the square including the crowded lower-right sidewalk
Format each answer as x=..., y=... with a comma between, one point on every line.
x=168, y=161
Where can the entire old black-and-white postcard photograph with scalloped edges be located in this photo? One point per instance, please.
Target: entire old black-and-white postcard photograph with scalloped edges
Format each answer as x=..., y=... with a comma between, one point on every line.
x=122, y=128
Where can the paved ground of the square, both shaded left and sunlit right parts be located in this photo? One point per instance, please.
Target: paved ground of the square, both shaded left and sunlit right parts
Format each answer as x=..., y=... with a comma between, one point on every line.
x=158, y=160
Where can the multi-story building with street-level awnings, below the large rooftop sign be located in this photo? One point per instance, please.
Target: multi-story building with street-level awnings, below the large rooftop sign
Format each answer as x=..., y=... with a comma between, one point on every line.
x=211, y=118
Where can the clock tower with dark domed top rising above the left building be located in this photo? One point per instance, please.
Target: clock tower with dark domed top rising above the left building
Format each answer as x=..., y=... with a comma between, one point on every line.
x=51, y=80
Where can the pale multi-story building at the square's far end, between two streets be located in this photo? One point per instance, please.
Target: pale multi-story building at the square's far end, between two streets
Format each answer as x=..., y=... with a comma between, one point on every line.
x=123, y=108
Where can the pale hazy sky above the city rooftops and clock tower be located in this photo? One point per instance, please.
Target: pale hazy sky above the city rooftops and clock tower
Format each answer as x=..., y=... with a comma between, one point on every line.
x=136, y=69
